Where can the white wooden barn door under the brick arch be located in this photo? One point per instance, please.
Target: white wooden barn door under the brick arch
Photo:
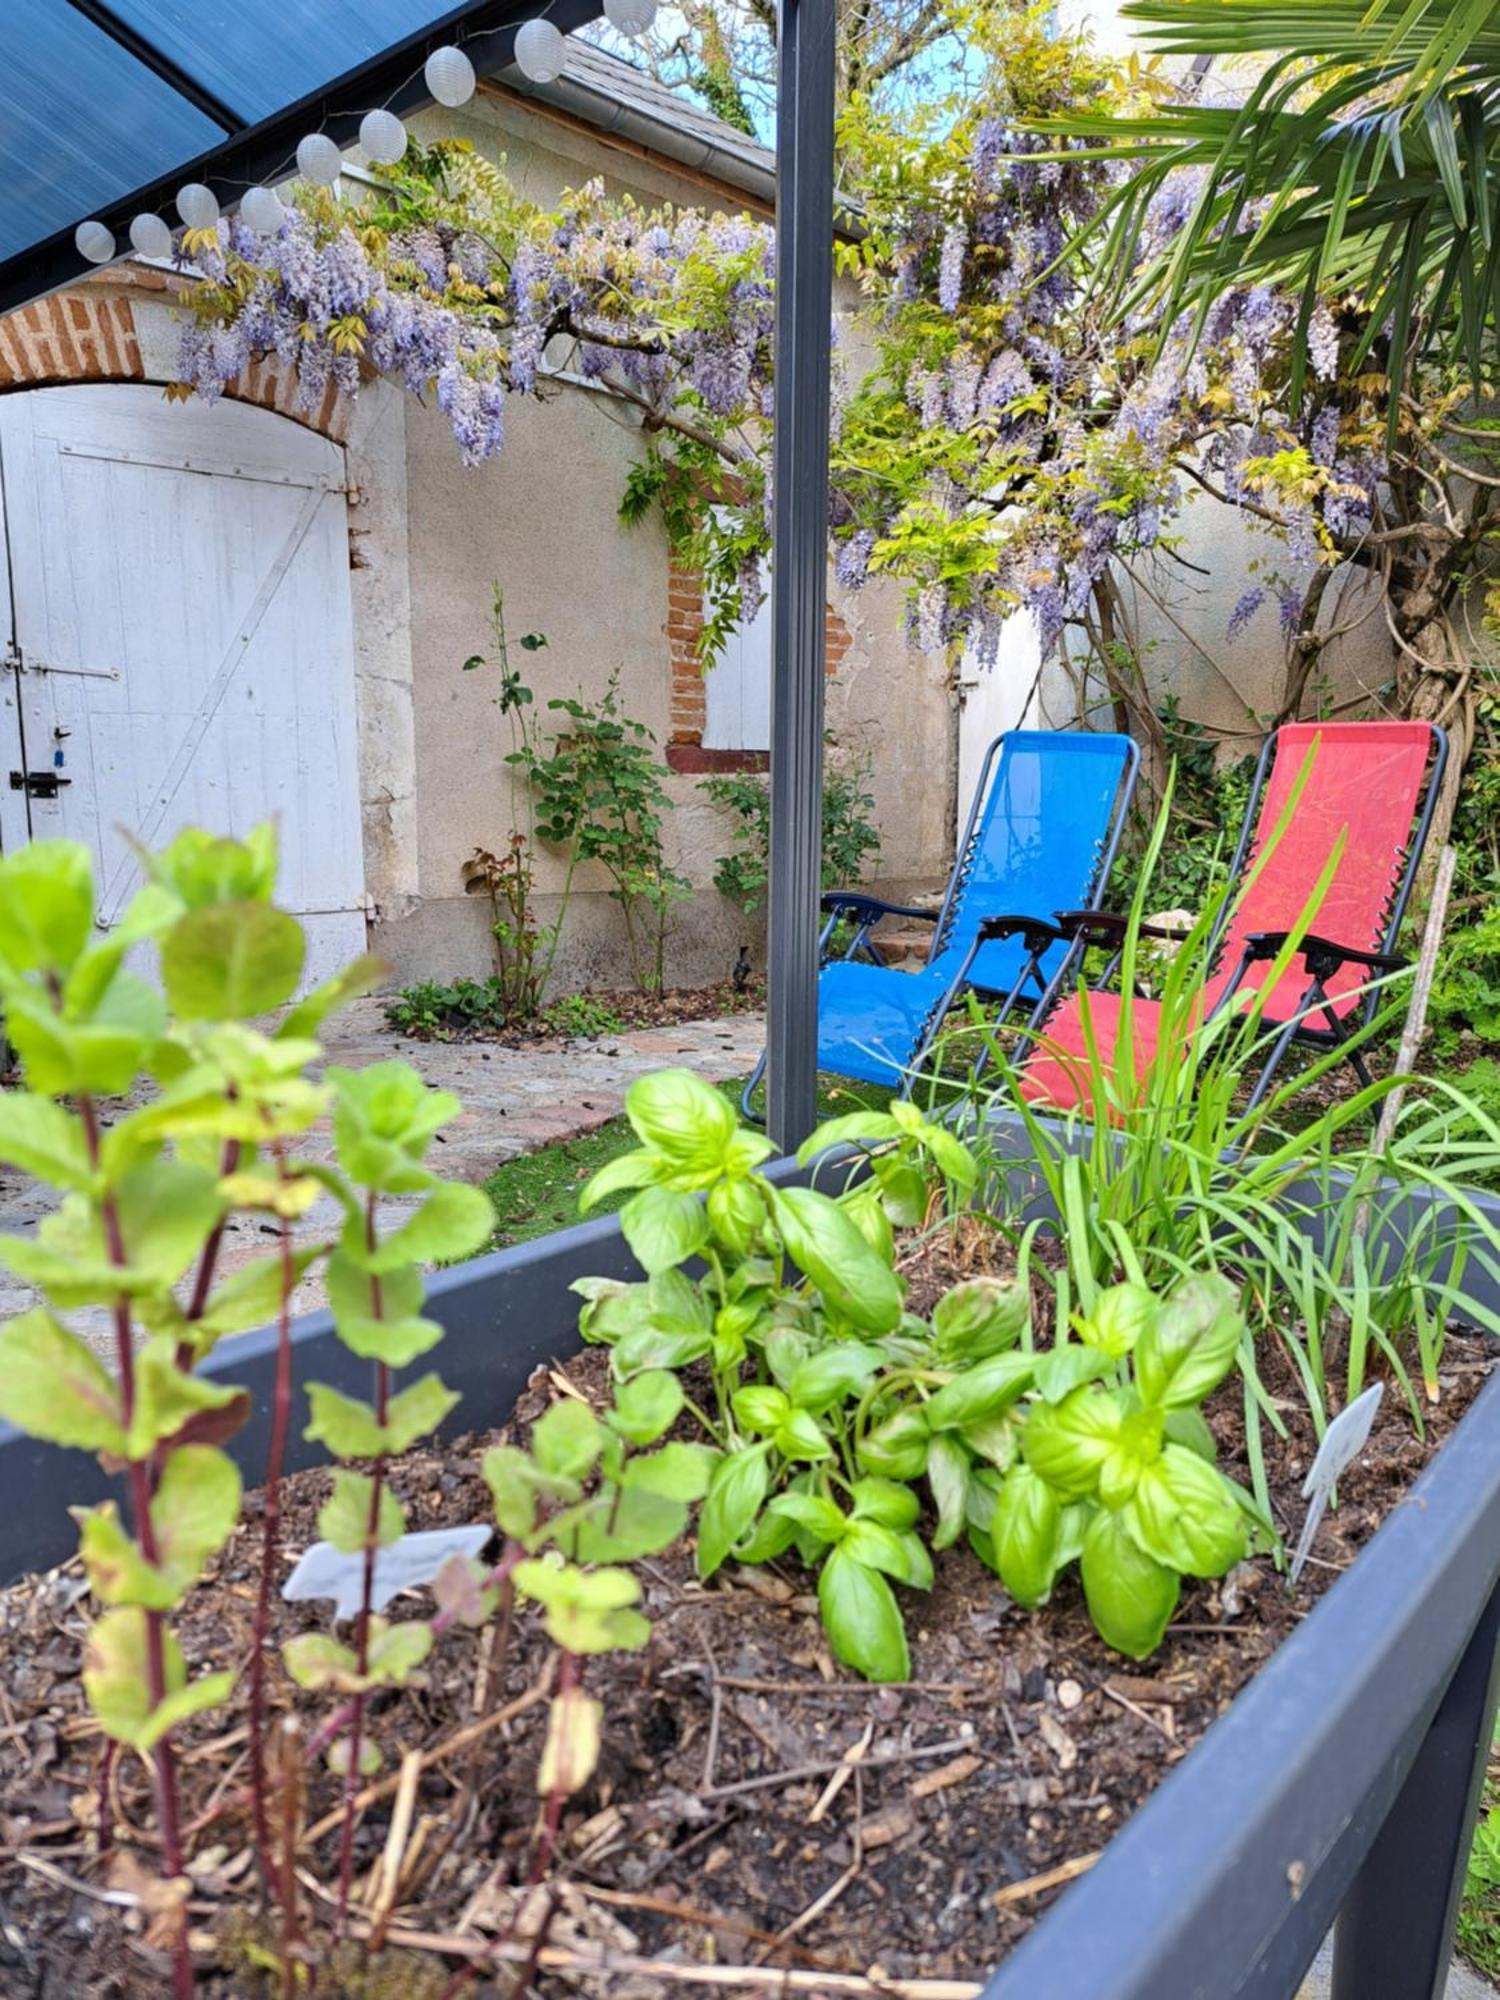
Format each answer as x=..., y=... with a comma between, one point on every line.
x=181, y=649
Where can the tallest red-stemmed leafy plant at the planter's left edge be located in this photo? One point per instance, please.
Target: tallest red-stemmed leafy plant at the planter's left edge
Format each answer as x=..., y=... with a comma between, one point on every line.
x=139, y=1231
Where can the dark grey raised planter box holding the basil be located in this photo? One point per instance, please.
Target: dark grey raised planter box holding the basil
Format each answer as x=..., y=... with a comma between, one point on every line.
x=1341, y=1785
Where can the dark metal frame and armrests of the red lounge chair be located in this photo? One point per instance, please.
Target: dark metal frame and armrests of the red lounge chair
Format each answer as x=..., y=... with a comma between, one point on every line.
x=1321, y=957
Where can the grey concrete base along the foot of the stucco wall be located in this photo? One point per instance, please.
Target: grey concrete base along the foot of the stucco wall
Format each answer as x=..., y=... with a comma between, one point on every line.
x=449, y=937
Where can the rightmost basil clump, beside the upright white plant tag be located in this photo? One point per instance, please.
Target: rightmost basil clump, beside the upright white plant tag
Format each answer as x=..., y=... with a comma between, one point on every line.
x=1117, y=1465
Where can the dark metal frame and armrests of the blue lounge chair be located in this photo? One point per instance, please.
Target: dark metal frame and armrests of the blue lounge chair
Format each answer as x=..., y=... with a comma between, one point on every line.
x=1035, y=933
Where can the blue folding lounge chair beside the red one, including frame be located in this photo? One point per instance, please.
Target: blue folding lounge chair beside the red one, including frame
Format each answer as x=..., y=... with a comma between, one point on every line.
x=1045, y=825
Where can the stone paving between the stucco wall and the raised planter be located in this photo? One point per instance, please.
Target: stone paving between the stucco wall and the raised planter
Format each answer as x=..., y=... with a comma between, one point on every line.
x=515, y=1101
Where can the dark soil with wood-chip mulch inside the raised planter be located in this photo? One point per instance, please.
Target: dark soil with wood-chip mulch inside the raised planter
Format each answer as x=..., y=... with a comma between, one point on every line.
x=959, y=1805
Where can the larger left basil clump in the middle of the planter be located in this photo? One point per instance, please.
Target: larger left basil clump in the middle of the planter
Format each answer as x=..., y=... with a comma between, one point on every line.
x=801, y=1323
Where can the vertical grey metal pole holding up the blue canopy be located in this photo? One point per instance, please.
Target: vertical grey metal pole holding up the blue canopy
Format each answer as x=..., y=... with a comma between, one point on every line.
x=805, y=305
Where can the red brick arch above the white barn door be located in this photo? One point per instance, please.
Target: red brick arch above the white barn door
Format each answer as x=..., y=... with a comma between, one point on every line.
x=91, y=337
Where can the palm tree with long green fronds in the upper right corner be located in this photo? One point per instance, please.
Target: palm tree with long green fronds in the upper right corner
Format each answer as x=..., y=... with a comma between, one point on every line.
x=1361, y=165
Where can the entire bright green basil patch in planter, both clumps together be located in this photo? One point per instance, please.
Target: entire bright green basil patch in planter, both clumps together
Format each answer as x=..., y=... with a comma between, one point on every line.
x=865, y=1439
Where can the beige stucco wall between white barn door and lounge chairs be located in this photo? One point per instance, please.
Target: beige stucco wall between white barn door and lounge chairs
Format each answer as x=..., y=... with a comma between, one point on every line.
x=543, y=521
